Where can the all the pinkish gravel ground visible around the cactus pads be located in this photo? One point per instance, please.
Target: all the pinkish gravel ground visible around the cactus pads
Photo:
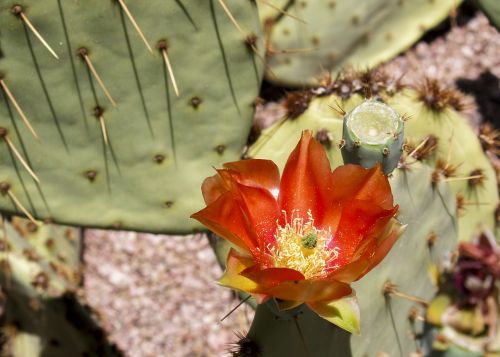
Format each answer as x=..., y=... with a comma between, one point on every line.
x=156, y=294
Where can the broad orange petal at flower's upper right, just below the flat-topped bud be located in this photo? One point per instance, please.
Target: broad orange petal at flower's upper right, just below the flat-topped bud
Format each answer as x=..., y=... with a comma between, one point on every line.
x=355, y=182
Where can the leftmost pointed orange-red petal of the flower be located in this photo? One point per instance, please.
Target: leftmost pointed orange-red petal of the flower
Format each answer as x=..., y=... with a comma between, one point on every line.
x=224, y=217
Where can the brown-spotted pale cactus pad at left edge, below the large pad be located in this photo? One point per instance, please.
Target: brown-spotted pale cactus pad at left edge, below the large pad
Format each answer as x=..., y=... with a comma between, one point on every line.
x=39, y=262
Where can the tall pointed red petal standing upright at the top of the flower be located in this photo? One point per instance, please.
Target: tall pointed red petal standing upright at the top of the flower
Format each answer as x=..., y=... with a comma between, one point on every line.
x=305, y=184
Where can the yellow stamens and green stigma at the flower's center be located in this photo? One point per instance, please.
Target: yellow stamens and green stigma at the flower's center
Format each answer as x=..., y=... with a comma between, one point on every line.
x=303, y=247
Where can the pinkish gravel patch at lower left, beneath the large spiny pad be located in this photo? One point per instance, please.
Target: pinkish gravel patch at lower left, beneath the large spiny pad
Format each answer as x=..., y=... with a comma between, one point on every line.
x=156, y=294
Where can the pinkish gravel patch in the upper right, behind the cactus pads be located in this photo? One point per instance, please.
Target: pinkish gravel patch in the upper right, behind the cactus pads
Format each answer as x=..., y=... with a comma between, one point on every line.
x=467, y=58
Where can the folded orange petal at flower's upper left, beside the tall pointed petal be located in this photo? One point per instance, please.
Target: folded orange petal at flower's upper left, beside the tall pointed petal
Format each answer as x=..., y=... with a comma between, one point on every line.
x=256, y=173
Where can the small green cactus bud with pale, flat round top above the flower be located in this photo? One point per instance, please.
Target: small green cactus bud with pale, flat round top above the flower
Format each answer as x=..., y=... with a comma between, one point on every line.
x=373, y=133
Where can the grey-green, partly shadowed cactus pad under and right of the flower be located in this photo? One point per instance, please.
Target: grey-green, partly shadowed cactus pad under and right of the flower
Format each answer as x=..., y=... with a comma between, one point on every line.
x=391, y=297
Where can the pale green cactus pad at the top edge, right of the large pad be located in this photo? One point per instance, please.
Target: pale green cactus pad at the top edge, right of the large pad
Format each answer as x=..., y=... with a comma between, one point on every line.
x=328, y=36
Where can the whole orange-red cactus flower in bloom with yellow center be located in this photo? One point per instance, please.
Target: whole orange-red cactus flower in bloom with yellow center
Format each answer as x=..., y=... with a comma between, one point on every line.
x=306, y=237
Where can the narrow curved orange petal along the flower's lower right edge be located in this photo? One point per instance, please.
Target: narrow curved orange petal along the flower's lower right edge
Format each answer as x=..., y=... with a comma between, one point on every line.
x=373, y=254
